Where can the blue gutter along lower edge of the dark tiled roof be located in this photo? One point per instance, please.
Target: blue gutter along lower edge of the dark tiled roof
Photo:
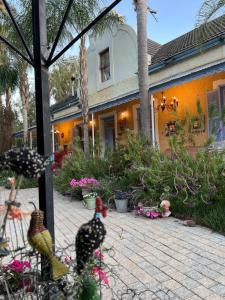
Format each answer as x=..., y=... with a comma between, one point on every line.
x=187, y=54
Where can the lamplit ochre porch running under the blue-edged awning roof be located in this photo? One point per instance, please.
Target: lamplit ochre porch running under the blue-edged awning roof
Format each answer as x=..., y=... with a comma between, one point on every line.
x=109, y=126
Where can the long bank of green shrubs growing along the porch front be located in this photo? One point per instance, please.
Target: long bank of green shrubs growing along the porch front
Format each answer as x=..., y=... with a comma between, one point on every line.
x=193, y=184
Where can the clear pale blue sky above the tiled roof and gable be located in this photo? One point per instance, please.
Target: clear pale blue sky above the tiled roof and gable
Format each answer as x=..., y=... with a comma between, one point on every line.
x=175, y=17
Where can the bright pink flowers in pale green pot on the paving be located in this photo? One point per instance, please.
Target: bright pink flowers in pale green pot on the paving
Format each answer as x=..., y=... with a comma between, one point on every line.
x=88, y=187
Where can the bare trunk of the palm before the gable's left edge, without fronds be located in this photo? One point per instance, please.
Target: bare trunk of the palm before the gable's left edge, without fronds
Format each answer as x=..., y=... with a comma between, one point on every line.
x=84, y=93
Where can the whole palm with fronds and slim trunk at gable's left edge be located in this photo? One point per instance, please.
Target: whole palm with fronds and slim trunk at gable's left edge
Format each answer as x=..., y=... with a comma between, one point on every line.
x=83, y=12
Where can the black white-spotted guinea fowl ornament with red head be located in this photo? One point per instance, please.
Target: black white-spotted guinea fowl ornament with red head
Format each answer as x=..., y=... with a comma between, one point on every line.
x=90, y=236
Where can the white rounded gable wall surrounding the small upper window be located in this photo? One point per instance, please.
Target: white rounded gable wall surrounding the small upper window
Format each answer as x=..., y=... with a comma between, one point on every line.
x=122, y=45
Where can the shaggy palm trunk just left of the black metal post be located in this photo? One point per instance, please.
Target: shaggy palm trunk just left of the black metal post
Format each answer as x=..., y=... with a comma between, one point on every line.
x=25, y=97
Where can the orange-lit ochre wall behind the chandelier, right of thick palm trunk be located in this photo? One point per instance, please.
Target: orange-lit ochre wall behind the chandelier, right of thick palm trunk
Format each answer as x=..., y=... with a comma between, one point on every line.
x=187, y=94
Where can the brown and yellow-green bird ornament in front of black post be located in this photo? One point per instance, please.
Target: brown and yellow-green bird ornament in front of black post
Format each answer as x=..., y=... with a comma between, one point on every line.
x=40, y=239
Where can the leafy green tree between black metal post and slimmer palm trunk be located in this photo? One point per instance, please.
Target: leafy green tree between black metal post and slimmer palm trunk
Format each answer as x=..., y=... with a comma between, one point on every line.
x=61, y=84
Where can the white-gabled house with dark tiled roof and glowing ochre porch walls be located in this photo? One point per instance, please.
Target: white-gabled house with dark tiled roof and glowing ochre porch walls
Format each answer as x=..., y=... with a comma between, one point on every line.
x=188, y=69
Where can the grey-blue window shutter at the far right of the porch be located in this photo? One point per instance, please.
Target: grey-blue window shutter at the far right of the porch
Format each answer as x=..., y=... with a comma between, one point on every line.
x=215, y=125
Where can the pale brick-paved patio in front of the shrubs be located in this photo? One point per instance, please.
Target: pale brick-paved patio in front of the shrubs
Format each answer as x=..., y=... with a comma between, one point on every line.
x=162, y=253
